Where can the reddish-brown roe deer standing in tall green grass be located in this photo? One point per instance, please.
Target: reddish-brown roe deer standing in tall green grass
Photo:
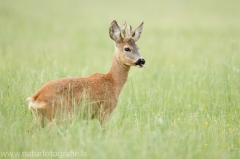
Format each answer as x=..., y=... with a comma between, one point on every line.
x=102, y=90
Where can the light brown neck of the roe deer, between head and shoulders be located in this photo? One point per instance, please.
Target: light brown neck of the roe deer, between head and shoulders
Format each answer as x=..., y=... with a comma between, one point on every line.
x=119, y=74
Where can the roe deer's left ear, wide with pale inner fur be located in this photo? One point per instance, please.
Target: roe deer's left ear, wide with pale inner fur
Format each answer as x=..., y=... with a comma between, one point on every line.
x=115, y=32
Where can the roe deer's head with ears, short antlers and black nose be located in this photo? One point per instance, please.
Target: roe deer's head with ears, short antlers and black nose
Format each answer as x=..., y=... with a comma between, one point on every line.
x=125, y=44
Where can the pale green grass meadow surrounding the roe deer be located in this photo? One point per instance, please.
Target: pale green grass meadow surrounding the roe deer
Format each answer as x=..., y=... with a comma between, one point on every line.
x=191, y=83
